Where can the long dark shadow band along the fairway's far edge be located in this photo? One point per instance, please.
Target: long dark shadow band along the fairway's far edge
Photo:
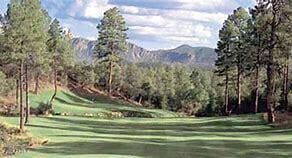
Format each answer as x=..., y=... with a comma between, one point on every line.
x=210, y=126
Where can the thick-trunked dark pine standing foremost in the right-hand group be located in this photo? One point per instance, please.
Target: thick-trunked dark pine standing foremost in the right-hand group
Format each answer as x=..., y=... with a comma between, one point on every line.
x=273, y=9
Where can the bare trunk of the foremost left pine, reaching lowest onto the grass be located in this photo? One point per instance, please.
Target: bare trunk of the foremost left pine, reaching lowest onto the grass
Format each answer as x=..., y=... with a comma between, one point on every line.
x=21, y=111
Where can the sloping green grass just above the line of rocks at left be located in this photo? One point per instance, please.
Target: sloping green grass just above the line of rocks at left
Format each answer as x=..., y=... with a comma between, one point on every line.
x=68, y=102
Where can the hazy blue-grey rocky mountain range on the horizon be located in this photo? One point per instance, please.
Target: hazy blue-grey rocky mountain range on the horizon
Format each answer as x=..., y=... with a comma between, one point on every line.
x=184, y=54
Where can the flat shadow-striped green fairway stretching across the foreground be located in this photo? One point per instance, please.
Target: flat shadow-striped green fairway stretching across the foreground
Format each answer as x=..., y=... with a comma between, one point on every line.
x=232, y=137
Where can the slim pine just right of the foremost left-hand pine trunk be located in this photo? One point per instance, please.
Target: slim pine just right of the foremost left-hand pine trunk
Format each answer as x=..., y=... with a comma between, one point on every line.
x=36, y=41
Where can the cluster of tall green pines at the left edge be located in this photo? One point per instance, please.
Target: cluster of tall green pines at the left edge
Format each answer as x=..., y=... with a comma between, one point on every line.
x=32, y=45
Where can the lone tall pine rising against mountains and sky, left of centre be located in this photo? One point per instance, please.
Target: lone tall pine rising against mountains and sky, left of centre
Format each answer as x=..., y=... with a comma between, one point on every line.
x=111, y=41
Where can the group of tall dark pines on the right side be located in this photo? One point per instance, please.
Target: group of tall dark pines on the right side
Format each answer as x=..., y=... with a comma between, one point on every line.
x=256, y=42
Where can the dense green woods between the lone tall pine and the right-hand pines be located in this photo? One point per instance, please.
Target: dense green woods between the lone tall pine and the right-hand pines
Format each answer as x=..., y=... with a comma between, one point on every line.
x=176, y=88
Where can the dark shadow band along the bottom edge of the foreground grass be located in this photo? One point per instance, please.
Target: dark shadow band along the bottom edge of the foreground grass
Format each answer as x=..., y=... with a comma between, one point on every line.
x=191, y=149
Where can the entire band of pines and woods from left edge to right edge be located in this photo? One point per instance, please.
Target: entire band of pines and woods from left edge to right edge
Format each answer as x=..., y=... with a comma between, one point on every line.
x=251, y=74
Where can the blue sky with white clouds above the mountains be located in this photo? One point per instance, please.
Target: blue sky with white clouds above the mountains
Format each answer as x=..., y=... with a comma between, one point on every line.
x=153, y=24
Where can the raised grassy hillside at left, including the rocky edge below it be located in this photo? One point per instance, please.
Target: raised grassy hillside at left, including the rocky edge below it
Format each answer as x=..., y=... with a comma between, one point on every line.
x=73, y=104
